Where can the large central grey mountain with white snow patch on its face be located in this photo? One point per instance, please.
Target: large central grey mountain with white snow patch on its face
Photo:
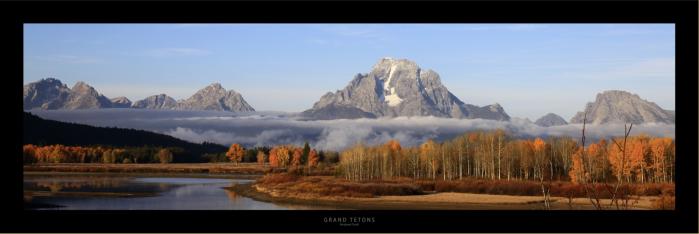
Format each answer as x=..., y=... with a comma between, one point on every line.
x=398, y=87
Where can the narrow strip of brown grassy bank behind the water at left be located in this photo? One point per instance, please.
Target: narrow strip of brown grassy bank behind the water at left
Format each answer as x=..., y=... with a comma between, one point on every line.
x=188, y=168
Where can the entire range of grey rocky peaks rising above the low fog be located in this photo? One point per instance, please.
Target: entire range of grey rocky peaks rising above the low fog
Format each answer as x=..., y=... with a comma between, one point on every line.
x=393, y=87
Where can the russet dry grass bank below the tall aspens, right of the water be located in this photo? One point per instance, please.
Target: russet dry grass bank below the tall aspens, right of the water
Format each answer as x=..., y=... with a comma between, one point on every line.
x=486, y=194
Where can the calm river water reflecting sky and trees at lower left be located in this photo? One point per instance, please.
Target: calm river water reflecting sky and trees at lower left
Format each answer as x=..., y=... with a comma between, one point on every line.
x=106, y=192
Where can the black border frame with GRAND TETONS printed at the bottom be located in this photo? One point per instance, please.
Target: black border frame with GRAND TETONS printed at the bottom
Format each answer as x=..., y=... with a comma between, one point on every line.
x=682, y=13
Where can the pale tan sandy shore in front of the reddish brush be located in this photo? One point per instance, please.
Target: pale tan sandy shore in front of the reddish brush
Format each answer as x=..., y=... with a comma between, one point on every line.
x=439, y=201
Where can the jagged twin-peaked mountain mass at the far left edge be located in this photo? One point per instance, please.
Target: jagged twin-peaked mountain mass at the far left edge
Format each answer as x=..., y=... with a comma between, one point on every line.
x=51, y=94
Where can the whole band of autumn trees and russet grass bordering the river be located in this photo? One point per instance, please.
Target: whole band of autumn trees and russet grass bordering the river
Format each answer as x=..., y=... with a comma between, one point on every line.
x=476, y=170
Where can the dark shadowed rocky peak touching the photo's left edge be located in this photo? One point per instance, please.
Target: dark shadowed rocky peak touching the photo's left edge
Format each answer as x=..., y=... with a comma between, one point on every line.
x=48, y=94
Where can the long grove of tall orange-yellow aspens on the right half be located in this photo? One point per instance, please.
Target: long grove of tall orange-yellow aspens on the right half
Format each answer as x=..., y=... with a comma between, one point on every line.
x=492, y=155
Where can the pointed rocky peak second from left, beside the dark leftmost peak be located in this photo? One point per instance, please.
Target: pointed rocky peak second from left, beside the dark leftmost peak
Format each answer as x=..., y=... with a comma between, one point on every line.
x=84, y=96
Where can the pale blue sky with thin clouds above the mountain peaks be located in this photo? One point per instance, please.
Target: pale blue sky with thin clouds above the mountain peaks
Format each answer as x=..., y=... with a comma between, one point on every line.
x=530, y=69
